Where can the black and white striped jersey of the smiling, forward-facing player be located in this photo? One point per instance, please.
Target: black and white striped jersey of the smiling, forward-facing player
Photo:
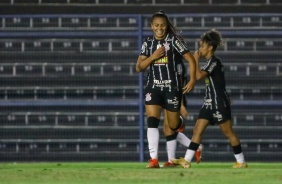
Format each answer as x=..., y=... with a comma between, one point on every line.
x=164, y=72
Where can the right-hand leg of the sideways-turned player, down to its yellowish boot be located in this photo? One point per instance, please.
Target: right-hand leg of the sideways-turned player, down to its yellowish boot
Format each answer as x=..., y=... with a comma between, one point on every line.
x=228, y=131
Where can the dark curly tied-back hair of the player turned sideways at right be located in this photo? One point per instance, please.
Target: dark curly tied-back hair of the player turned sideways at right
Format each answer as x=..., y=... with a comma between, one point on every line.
x=213, y=38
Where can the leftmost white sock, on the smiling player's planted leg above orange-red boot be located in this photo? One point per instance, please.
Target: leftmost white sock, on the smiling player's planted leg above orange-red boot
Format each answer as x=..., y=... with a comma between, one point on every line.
x=153, y=142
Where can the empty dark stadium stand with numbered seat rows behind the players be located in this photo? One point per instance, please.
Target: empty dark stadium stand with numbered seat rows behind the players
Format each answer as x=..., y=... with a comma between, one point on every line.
x=69, y=90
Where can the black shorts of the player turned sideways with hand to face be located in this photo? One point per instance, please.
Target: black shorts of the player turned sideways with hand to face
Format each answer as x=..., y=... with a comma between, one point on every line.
x=215, y=113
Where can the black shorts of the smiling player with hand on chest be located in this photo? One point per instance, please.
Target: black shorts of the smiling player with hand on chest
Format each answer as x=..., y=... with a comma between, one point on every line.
x=169, y=100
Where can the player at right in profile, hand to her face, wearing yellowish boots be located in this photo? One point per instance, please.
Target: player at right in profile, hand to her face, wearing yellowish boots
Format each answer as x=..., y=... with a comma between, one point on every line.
x=216, y=108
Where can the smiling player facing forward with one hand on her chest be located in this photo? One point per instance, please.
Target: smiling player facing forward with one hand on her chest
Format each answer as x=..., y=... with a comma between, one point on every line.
x=161, y=53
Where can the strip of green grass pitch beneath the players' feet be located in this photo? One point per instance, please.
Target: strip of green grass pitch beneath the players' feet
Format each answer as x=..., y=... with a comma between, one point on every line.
x=131, y=173
